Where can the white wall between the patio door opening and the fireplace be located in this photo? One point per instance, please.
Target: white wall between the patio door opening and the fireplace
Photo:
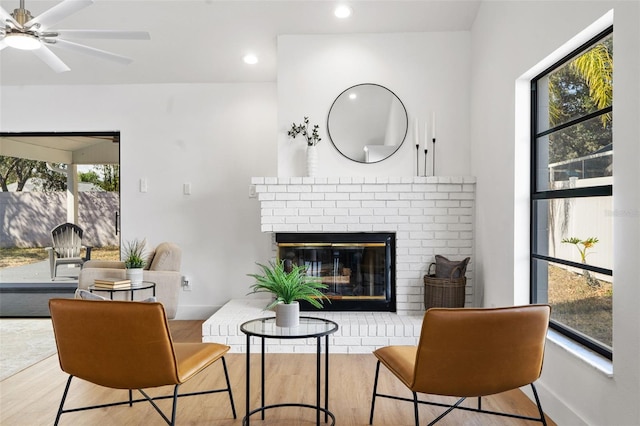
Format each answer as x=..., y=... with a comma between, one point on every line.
x=214, y=136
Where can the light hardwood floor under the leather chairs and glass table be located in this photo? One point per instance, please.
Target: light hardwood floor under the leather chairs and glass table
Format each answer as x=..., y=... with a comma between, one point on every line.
x=31, y=397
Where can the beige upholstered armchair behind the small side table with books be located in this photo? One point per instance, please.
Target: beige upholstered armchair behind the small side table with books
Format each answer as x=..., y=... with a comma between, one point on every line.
x=163, y=268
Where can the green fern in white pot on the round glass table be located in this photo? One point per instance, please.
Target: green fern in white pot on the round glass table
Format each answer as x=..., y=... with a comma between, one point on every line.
x=288, y=287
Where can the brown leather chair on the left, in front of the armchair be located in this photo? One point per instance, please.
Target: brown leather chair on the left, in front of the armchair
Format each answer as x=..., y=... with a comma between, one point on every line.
x=127, y=345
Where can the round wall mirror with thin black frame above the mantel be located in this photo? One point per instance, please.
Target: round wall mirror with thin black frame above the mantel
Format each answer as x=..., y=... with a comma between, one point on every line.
x=367, y=123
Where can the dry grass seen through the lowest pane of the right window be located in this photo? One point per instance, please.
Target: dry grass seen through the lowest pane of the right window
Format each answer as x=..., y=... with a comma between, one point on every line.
x=586, y=309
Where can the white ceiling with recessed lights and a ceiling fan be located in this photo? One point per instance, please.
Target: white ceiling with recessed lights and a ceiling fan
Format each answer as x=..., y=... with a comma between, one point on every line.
x=204, y=41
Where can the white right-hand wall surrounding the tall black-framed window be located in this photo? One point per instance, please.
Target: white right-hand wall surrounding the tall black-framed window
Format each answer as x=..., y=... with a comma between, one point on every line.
x=508, y=39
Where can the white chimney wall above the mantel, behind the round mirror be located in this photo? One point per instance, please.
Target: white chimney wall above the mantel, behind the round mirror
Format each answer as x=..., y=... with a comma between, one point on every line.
x=427, y=71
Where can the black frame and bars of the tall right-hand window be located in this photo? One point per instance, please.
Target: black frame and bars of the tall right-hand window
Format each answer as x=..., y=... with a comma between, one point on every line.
x=541, y=195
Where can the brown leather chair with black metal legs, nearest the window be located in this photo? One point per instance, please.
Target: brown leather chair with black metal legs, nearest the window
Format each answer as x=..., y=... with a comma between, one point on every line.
x=470, y=353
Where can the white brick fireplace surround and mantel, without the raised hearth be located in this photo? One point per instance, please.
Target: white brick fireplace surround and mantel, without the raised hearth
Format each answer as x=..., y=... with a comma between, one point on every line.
x=429, y=215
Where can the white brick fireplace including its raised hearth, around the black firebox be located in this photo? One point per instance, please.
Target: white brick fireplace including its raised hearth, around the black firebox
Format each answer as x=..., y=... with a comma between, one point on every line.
x=429, y=215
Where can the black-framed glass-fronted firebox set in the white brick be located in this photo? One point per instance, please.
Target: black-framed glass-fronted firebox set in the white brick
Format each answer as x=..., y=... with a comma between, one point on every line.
x=358, y=268
